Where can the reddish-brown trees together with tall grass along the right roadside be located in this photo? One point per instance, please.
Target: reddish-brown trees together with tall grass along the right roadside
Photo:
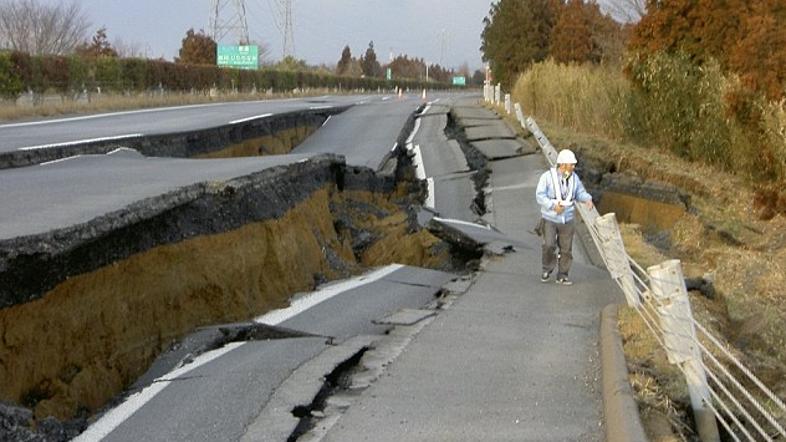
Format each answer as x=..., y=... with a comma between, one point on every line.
x=704, y=79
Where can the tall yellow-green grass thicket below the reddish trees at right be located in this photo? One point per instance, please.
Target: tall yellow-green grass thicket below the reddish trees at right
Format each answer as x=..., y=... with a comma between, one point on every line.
x=683, y=109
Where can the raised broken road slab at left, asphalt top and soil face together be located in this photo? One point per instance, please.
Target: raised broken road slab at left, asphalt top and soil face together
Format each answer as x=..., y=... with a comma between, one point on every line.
x=93, y=287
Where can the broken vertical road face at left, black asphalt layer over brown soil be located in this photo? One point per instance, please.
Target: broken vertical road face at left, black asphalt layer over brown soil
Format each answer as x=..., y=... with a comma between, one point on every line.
x=213, y=253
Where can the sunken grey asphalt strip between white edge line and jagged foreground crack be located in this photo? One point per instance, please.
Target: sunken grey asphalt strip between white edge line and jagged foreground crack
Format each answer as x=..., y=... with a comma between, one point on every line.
x=219, y=400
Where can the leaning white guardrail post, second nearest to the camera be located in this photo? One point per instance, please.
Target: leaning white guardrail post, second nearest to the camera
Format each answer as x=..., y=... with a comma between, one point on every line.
x=615, y=257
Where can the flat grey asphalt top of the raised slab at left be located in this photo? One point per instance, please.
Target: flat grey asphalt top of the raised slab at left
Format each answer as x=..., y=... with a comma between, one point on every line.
x=45, y=197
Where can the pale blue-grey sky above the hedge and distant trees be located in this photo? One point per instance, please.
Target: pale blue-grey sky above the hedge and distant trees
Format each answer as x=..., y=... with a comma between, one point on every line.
x=322, y=27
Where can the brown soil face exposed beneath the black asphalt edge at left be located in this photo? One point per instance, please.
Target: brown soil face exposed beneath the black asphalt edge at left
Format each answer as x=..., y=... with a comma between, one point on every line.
x=82, y=343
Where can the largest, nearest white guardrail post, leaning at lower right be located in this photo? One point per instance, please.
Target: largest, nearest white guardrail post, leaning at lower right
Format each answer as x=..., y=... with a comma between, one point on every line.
x=679, y=336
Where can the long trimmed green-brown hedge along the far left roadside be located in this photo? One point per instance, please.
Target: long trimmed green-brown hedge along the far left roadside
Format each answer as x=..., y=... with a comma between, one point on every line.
x=20, y=72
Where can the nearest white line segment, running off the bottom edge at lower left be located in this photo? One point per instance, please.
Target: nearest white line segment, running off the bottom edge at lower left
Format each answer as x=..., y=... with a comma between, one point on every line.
x=119, y=414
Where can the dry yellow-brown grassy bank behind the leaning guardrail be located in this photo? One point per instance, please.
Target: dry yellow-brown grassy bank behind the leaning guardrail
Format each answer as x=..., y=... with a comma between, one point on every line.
x=726, y=235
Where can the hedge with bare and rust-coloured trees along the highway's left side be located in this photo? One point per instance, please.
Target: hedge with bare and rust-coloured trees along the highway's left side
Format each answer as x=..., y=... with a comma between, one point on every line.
x=46, y=50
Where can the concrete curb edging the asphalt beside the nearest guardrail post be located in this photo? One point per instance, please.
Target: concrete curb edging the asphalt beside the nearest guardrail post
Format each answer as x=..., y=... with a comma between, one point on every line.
x=623, y=422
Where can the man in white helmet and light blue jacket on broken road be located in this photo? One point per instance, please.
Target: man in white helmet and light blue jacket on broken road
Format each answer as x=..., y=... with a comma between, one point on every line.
x=557, y=190
